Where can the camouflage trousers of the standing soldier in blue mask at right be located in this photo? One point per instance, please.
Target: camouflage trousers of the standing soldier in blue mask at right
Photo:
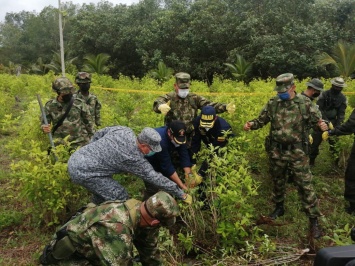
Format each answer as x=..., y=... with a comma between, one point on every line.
x=297, y=161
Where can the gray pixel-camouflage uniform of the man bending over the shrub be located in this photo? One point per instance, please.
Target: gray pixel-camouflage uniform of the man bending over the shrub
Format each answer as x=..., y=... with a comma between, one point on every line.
x=113, y=150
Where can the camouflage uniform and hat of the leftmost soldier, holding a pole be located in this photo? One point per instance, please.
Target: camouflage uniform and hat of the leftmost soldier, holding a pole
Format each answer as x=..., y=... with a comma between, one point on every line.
x=78, y=123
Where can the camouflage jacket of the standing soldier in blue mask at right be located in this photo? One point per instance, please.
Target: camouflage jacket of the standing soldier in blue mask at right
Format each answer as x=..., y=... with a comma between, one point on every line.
x=290, y=120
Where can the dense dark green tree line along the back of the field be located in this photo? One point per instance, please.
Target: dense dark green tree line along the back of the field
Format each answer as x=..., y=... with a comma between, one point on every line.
x=202, y=37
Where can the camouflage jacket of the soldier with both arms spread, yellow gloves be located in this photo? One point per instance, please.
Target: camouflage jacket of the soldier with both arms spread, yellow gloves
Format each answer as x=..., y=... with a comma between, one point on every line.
x=185, y=109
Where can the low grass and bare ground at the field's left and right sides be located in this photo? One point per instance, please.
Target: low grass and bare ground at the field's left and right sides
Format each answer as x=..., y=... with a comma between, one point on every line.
x=22, y=239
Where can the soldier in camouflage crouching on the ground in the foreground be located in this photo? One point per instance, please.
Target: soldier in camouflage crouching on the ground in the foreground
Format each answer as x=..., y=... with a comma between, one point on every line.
x=105, y=234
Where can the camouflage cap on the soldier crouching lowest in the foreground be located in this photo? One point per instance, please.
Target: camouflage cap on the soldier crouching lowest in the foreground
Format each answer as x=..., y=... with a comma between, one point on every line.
x=163, y=207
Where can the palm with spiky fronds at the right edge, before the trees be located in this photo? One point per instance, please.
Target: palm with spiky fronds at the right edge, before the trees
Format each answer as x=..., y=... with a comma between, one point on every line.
x=342, y=57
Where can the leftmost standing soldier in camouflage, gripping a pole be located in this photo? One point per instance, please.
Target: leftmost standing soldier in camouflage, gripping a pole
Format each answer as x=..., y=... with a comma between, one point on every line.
x=77, y=124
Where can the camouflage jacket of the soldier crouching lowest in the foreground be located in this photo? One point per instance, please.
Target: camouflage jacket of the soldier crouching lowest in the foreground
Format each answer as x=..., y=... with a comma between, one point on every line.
x=105, y=234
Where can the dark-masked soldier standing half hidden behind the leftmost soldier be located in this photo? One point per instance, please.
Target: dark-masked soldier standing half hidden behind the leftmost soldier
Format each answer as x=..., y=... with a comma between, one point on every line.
x=83, y=80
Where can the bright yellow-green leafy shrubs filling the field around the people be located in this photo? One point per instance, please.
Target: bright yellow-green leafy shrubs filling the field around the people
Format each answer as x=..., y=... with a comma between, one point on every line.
x=238, y=182
